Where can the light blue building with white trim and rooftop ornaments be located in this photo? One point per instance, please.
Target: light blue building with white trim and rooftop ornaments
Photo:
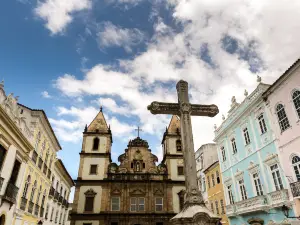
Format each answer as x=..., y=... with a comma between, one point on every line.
x=254, y=183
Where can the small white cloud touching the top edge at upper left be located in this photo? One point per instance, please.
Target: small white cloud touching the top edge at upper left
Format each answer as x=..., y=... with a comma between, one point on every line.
x=59, y=13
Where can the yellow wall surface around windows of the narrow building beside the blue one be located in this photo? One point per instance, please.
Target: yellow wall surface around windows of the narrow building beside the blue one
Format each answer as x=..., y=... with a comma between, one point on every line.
x=216, y=192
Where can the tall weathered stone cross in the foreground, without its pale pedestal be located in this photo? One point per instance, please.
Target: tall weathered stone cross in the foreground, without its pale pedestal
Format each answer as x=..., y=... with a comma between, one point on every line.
x=185, y=110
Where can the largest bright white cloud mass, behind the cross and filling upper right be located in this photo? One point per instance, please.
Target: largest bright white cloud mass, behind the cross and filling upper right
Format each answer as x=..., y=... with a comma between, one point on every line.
x=253, y=26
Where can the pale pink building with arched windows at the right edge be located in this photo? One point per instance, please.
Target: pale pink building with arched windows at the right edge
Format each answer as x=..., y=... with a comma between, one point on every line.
x=283, y=100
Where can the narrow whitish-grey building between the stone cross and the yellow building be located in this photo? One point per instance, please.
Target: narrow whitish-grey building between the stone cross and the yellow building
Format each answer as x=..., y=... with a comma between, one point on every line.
x=205, y=156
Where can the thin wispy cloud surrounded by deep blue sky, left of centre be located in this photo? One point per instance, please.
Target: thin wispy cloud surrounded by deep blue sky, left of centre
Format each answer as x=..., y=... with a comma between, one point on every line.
x=110, y=35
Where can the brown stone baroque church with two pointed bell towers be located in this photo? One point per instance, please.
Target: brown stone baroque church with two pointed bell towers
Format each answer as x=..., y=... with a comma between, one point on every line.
x=135, y=191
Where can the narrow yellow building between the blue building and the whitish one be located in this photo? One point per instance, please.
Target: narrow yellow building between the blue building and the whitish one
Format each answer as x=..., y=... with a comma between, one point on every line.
x=215, y=191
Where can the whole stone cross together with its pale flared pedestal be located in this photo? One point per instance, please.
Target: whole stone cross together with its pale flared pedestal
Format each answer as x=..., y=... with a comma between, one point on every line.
x=194, y=211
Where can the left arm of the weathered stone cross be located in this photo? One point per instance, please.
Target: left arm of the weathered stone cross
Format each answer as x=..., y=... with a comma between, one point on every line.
x=164, y=108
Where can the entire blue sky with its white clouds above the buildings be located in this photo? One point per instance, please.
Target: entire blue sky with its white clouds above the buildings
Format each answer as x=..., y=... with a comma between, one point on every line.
x=69, y=57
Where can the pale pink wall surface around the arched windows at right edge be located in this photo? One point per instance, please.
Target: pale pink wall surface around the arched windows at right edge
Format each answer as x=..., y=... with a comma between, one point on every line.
x=288, y=141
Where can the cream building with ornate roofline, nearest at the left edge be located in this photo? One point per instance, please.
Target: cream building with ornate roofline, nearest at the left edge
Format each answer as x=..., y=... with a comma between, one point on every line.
x=15, y=145
